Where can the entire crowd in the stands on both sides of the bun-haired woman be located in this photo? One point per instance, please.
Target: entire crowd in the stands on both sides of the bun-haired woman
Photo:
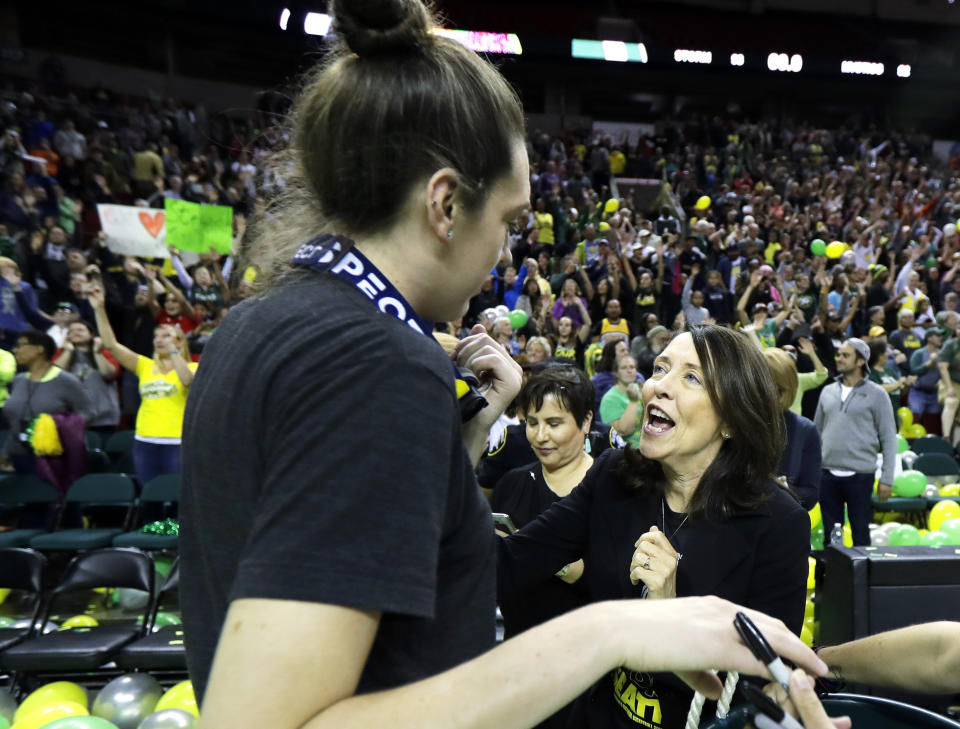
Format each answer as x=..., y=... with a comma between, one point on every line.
x=732, y=239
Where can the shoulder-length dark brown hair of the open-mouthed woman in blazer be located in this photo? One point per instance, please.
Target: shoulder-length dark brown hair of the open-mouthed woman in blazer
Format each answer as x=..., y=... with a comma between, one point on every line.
x=741, y=390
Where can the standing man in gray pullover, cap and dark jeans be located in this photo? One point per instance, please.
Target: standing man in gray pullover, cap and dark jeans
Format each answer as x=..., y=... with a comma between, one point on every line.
x=856, y=422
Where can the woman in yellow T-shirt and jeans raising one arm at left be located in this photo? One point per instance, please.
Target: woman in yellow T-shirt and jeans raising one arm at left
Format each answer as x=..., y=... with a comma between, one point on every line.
x=164, y=382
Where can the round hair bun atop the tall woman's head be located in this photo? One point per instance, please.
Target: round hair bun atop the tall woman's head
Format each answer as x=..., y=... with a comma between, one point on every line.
x=381, y=27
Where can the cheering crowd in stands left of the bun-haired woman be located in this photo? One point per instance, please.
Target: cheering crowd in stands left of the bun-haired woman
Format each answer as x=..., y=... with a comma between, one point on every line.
x=61, y=155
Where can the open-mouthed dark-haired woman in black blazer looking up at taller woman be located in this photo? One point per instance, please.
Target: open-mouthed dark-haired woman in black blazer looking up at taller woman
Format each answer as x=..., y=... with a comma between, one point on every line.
x=699, y=486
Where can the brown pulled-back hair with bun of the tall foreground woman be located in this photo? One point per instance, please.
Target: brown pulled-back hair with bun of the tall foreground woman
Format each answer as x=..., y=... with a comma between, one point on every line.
x=395, y=104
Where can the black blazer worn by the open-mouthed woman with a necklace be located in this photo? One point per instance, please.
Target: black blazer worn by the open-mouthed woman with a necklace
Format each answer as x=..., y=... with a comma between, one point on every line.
x=757, y=559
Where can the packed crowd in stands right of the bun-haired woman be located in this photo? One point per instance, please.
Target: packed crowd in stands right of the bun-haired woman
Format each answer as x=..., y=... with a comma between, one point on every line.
x=739, y=238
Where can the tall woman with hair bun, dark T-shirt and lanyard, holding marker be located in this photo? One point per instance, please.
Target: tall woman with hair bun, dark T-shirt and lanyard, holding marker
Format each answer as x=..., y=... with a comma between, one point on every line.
x=337, y=558
